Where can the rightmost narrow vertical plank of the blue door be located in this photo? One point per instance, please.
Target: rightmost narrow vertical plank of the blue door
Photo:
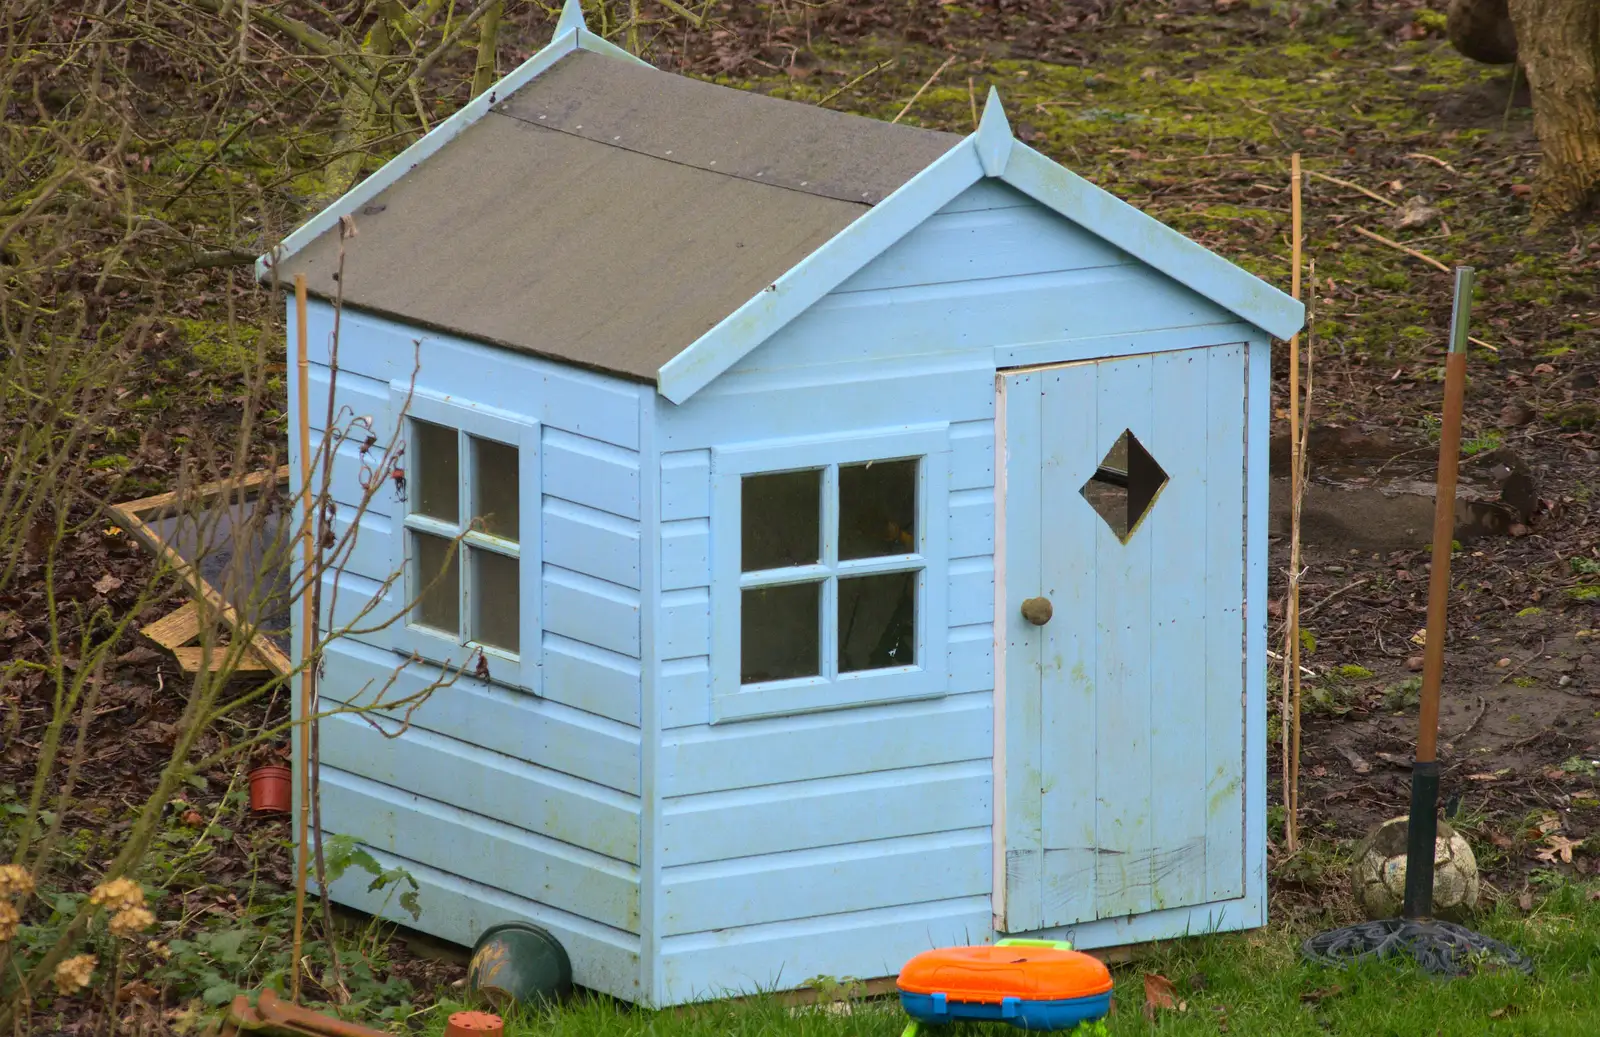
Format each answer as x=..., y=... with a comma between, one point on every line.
x=1225, y=628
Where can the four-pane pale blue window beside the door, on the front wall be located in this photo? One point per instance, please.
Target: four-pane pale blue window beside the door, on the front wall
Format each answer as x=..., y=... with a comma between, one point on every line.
x=830, y=572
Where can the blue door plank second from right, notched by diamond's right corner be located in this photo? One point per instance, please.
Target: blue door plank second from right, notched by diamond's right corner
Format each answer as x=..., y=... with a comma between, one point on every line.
x=1177, y=529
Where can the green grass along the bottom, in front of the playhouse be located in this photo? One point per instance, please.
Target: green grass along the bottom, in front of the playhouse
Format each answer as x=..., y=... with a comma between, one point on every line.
x=1241, y=985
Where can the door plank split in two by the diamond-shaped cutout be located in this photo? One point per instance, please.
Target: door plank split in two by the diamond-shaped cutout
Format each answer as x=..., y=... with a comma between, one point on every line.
x=1122, y=667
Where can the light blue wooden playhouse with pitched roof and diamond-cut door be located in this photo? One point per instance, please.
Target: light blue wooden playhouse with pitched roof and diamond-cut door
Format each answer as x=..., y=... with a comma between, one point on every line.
x=873, y=537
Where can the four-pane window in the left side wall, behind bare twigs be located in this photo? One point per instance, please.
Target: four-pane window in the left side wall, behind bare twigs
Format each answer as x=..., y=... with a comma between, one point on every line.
x=466, y=539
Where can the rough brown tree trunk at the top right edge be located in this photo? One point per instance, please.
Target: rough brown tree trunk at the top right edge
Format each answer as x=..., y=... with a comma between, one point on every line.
x=1559, y=46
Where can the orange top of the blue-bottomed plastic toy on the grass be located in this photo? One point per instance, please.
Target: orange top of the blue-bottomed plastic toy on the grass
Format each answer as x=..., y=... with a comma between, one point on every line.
x=1038, y=972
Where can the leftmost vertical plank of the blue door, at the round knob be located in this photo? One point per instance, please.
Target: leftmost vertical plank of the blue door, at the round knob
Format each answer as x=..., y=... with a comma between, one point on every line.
x=1023, y=844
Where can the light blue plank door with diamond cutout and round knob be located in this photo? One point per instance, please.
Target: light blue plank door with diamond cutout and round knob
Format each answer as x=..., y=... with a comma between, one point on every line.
x=1124, y=715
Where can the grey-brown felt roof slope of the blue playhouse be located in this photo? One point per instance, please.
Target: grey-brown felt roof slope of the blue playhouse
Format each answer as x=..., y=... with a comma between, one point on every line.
x=609, y=215
